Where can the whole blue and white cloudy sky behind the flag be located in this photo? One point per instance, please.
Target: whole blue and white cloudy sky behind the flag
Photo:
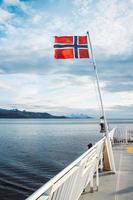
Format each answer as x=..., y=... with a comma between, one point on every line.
x=31, y=79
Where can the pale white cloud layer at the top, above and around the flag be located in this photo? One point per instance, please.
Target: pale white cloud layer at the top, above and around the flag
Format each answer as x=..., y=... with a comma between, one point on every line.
x=108, y=22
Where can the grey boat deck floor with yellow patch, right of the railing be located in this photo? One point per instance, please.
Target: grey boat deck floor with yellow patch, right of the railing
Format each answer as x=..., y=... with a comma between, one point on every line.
x=117, y=186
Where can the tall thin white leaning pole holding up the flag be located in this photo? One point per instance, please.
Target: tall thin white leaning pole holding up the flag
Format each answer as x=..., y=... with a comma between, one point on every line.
x=111, y=157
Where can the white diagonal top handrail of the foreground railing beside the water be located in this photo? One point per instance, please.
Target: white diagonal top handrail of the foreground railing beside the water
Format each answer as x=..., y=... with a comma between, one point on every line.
x=51, y=182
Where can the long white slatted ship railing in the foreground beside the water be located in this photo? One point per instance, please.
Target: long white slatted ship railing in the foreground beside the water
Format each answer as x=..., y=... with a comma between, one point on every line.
x=70, y=183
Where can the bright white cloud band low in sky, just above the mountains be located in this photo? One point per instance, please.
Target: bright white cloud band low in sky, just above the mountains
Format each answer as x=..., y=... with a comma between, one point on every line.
x=62, y=94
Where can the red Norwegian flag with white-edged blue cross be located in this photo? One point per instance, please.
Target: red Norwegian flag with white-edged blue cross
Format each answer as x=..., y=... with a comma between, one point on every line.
x=71, y=47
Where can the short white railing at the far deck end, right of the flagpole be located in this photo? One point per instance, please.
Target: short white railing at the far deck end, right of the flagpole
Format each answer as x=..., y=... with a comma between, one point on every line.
x=123, y=135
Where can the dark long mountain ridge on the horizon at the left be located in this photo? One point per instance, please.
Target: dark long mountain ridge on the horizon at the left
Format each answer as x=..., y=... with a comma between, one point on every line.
x=15, y=113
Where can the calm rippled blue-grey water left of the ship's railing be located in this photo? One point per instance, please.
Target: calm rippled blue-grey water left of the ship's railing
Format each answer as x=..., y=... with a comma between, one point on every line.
x=33, y=151
